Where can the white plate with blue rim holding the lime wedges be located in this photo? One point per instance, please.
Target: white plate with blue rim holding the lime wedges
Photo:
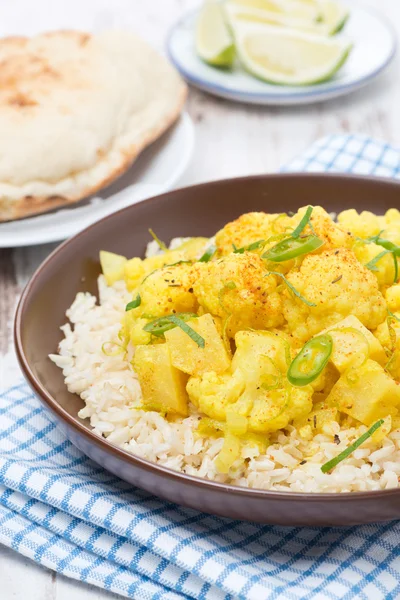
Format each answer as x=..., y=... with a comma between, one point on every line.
x=374, y=47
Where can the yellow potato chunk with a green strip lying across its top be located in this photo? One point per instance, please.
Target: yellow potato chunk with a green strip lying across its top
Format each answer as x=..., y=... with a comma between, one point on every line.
x=187, y=356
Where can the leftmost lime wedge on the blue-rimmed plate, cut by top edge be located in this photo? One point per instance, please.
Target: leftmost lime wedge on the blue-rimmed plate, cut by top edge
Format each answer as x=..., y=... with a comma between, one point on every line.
x=214, y=41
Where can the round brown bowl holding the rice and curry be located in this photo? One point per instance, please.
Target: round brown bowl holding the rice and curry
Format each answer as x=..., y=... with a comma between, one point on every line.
x=194, y=211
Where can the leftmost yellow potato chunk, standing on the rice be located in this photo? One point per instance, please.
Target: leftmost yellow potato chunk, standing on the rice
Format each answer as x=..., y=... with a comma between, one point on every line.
x=163, y=386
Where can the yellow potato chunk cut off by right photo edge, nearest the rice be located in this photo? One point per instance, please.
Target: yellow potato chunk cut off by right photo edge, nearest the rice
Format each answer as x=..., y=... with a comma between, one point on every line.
x=366, y=394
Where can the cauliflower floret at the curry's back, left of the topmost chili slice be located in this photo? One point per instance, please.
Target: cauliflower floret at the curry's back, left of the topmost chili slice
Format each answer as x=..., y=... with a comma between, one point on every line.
x=250, y=228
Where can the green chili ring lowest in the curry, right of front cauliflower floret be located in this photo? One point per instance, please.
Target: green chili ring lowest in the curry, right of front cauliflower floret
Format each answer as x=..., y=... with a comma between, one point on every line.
x=310, y=361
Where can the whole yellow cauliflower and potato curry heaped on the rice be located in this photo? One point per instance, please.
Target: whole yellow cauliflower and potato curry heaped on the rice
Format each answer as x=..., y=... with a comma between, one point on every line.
x=280, y=320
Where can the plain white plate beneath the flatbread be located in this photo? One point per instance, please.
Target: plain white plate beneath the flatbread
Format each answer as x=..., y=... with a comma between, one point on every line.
x=157, y=170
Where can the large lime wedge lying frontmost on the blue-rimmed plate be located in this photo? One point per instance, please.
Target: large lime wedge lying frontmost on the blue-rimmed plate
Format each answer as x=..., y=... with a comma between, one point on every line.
x=288, y=56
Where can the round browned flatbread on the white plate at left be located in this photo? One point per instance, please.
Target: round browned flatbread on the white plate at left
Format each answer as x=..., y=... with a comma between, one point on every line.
x=75, y=111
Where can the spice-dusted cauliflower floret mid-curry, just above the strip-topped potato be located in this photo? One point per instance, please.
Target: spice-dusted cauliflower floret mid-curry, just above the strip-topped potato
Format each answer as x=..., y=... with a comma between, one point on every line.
x=235, y=288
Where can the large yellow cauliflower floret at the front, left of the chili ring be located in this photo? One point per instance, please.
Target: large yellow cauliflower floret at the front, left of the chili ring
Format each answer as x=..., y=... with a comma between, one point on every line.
x=256, y=389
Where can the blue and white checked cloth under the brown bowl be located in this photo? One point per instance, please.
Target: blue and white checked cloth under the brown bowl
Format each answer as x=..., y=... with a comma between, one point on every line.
x=63, y=511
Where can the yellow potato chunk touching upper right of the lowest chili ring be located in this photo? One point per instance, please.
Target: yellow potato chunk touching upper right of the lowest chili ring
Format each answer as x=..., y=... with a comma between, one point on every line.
x=348, y=345
